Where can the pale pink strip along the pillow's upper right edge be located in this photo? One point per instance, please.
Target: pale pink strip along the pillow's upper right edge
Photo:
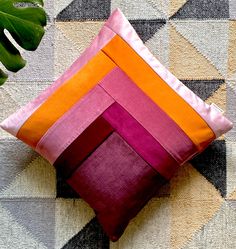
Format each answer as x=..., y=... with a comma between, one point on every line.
x=120, y=25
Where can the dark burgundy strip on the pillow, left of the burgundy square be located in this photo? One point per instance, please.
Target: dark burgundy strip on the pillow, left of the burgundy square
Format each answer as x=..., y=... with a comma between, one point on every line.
x=82, y=146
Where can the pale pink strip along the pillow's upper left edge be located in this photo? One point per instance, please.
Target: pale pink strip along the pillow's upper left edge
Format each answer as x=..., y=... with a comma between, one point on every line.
x=13, y=123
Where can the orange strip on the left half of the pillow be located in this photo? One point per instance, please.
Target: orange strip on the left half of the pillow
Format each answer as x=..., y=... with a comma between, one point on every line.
x=63, y=98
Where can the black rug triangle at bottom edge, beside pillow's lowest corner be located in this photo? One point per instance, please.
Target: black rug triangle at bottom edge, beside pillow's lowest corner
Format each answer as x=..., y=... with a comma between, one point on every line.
x=91, y=236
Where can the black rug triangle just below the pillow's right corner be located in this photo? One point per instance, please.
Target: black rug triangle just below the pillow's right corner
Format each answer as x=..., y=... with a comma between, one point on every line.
x=211, y=163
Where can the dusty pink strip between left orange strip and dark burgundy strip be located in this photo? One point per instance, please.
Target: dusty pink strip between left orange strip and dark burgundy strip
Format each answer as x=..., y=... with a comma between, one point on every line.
x=73, y=123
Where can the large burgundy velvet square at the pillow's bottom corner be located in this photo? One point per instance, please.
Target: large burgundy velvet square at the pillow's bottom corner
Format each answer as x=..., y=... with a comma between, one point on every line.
x=117, y=183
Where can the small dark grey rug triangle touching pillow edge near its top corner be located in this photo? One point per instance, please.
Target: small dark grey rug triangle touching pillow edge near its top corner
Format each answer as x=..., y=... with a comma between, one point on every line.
x=147, y=28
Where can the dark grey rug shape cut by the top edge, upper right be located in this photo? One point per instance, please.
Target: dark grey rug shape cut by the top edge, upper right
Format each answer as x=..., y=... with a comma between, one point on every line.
x=202, y=9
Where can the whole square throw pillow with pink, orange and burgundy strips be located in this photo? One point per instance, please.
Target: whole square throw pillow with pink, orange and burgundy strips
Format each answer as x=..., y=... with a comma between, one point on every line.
x=117, y=125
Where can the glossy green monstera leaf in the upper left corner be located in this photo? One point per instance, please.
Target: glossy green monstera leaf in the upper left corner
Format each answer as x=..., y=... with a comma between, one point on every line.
x=25, y=21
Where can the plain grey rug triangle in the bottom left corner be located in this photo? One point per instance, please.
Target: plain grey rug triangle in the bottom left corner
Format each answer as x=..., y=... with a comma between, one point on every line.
x=36, y=215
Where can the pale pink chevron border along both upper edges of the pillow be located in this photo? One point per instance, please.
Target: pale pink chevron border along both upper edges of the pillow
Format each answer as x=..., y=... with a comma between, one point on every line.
x=118, y=24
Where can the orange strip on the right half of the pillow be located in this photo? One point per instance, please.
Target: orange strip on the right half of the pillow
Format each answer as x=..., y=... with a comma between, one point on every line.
x=159, y=91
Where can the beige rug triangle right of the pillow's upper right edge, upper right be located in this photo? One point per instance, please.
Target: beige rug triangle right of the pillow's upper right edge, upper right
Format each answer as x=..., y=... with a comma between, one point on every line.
x=186, y=62
